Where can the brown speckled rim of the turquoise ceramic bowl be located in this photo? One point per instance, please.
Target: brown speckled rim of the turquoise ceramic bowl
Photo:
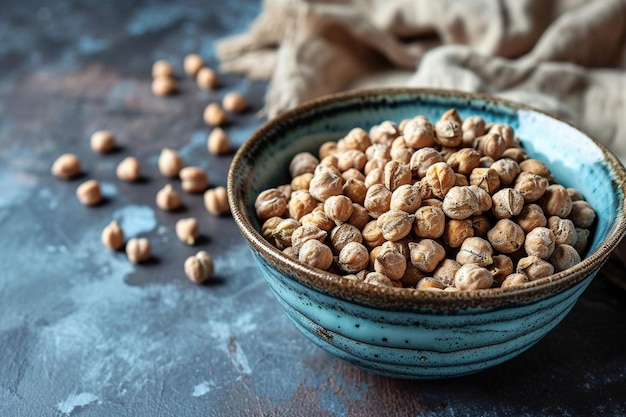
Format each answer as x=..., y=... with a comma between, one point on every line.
x=398, y=298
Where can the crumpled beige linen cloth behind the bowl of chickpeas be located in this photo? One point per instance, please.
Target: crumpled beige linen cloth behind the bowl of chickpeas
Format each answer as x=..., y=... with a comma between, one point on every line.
x=567, y=57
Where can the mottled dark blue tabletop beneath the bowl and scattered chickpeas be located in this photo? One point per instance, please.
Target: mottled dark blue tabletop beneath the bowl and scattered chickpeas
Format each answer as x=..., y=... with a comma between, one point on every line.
x=85, y=333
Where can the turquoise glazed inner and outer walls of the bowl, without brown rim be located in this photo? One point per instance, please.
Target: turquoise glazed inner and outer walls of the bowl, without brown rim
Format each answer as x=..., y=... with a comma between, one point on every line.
x=426, y=342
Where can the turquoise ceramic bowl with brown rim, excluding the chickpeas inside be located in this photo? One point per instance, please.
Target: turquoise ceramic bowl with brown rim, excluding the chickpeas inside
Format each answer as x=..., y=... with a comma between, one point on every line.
x=423, y=334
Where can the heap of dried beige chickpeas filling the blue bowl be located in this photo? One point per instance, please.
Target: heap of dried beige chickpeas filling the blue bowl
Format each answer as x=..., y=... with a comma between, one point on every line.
x=447, y=206
